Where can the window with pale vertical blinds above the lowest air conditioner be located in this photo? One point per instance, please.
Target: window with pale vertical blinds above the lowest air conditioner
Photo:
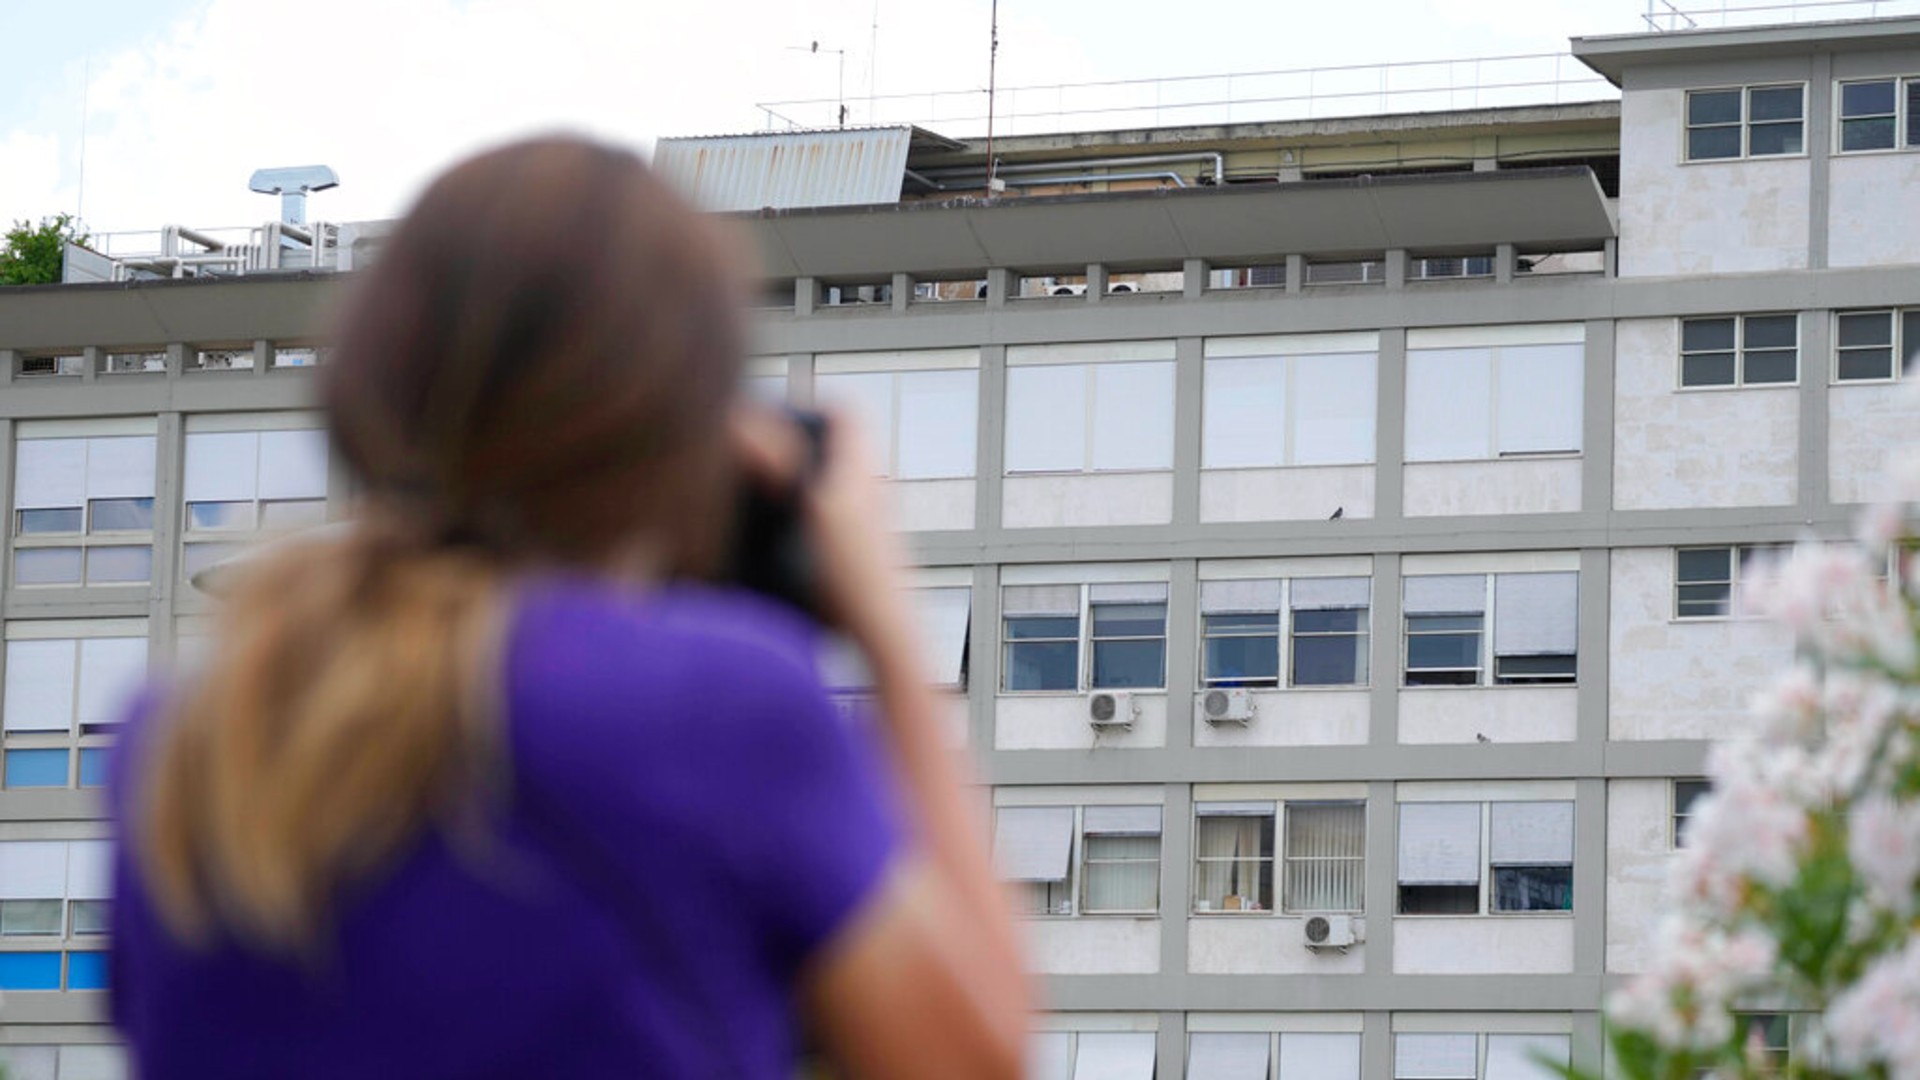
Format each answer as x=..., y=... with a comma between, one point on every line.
x=1322, y=856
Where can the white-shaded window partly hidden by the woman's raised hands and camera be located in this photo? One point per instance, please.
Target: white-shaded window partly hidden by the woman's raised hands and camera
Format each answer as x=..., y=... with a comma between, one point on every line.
x=923, y=424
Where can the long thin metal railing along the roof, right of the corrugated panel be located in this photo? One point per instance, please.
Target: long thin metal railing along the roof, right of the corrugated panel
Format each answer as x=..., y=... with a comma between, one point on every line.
x=1239, y=97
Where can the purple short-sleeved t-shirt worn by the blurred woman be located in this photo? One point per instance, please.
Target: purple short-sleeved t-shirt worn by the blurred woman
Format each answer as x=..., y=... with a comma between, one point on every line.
x=688, y=823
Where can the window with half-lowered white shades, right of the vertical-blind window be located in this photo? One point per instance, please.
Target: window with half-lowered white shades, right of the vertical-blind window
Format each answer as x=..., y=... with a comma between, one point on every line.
x=1529, y=858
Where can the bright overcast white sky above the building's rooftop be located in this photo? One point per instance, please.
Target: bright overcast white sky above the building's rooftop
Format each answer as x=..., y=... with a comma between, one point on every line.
x=183, y=99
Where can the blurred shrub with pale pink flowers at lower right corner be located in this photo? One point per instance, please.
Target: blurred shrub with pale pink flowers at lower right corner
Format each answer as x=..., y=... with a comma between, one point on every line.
x=1798, y=883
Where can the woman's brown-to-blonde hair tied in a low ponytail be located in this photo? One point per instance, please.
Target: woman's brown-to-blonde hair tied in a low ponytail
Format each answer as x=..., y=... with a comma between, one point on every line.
x=535, y=376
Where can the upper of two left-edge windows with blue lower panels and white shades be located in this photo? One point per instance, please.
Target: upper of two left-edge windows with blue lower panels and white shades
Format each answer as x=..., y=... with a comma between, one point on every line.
x=66, y=689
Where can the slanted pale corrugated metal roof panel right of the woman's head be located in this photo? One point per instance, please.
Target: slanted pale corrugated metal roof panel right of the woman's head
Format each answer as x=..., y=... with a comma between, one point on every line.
x=788, y=168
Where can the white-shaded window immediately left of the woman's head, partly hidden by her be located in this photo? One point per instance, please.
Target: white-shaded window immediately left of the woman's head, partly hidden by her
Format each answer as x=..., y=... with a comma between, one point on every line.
x=243, y=483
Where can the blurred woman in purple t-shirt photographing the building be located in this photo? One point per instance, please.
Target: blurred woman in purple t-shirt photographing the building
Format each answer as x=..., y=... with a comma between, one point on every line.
x=489, y=785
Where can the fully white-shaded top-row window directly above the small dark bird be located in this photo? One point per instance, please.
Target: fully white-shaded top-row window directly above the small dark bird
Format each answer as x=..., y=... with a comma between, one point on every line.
x=1270, y=412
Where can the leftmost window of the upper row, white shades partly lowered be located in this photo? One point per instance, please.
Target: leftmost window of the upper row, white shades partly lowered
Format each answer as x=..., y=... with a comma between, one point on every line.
x=84, y=510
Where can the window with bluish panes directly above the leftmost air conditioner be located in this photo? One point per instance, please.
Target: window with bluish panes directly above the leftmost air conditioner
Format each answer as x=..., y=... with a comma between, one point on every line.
x=1126, y=641
